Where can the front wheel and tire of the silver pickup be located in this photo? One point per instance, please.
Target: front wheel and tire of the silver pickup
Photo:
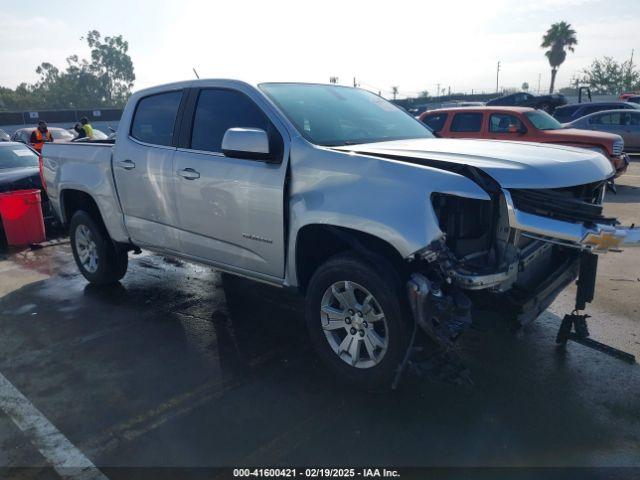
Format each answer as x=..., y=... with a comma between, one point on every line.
x=372, y=372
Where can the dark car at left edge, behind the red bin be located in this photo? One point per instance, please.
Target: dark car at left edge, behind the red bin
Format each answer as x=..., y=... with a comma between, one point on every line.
x=20, y=170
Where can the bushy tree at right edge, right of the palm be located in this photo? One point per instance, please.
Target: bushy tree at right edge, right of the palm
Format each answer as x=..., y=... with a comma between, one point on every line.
x=608, y=77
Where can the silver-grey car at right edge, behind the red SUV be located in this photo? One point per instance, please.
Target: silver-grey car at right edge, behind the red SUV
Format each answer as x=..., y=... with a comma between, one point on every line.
x=625, y=123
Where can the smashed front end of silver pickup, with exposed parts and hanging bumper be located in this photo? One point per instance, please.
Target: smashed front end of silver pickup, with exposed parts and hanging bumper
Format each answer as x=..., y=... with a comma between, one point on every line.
x=519, y=250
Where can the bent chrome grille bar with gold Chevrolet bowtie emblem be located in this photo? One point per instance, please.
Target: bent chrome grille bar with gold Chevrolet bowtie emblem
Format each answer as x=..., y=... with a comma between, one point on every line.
x=597, y=239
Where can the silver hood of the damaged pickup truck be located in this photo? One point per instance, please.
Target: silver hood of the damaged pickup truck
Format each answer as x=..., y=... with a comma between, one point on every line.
x=512, y=164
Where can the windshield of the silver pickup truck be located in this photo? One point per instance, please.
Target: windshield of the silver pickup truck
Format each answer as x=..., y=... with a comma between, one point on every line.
x=332, y=115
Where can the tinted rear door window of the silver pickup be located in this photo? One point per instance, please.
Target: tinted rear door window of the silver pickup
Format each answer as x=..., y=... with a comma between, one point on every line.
x=155, y=118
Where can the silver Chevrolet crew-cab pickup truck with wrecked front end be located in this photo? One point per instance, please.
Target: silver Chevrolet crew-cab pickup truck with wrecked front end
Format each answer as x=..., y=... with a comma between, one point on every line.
x=343, y=196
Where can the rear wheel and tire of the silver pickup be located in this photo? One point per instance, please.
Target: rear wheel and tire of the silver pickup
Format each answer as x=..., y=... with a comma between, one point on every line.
x=89, y=238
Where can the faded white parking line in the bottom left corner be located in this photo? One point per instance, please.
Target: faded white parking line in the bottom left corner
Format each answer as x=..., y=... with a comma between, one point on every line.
x=64, y=457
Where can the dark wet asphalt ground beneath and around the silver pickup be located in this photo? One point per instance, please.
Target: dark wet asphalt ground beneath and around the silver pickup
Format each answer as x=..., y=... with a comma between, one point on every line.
x=182, y=366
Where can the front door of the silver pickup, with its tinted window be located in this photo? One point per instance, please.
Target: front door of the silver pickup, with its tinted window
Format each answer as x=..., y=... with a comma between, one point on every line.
x=230, y=210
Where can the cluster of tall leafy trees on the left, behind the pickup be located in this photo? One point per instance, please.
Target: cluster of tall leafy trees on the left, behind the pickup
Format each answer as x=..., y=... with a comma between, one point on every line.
x=105, y=80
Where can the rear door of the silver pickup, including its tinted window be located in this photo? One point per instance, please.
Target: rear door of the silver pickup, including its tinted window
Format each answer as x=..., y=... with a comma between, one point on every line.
x=143, y=170
